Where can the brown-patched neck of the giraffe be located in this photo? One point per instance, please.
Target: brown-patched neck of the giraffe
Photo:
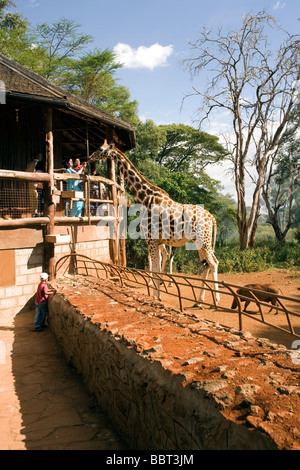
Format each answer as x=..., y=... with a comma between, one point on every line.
x=143, y=192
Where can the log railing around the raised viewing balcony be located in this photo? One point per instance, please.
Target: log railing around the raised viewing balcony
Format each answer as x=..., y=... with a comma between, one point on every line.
x=15, y=188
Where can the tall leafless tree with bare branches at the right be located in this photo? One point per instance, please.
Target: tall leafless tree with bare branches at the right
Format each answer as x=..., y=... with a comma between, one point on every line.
x=257, y=86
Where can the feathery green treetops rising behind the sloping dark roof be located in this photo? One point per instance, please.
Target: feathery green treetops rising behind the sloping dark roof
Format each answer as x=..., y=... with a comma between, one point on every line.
x=56, y=52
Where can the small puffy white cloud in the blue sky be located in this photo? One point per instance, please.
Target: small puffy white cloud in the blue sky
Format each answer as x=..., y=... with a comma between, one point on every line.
x=143, y=57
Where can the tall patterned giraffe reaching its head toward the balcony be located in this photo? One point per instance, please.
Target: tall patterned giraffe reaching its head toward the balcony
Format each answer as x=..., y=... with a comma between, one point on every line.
x=166, y=222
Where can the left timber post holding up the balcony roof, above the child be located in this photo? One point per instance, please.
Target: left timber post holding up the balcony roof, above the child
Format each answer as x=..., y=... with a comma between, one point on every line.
x=49, y=204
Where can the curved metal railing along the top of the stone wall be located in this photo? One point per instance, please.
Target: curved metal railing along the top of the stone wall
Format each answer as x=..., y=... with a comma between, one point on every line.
x=185, y=288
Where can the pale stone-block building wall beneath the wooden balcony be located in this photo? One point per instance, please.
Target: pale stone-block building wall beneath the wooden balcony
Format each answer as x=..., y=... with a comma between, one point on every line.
x=22, y=262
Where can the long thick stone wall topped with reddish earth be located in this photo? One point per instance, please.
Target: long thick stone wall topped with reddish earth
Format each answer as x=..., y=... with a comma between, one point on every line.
x=169, y=381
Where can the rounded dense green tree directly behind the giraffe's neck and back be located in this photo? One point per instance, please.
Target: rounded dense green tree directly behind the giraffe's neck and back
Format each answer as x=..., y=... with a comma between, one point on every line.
x=174, y=158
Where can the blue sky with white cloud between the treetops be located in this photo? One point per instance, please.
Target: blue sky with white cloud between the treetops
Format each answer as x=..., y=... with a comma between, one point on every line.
x=153, y=37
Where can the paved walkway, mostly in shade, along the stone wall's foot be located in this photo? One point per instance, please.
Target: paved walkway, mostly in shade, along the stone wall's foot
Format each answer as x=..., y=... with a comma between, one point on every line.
x=44, y=404
